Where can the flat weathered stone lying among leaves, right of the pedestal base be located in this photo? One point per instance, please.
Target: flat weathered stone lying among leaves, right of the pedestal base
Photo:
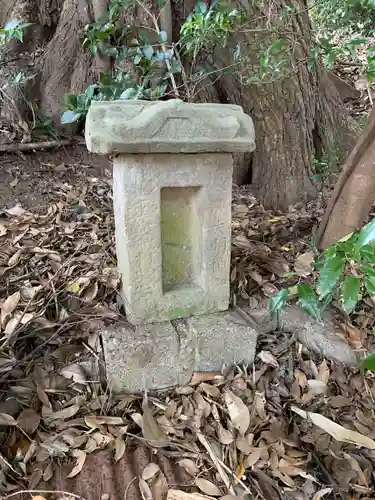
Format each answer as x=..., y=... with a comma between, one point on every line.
x=320, y=338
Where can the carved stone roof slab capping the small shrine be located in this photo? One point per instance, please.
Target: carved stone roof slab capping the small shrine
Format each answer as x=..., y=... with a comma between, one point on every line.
x=167, y=127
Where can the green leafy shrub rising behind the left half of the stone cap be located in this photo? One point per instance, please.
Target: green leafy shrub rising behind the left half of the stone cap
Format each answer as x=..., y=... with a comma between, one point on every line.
x=151, y=62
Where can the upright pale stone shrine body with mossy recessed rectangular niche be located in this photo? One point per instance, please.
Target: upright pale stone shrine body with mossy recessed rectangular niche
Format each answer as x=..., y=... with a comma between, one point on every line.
x=173, y=216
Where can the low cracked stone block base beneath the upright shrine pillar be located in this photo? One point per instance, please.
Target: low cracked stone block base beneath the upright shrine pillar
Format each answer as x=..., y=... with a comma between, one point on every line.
x=161, y=355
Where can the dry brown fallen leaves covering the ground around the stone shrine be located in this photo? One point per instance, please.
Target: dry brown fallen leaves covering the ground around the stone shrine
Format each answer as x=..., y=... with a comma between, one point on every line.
x=292, y=426
